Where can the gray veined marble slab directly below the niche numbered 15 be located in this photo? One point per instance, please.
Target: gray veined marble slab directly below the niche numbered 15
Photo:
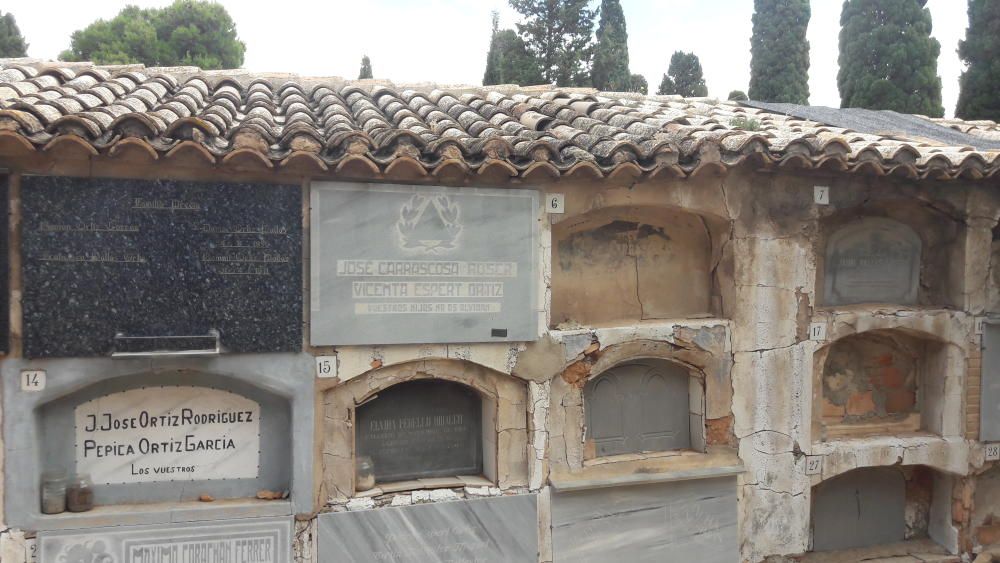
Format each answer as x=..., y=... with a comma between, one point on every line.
x=496, y=530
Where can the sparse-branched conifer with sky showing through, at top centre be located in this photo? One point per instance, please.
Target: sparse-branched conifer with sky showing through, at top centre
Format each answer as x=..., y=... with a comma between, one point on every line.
x=557, y=33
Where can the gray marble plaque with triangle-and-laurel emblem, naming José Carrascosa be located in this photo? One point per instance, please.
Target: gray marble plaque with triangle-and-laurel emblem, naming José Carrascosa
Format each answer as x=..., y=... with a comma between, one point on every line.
x=398, y=264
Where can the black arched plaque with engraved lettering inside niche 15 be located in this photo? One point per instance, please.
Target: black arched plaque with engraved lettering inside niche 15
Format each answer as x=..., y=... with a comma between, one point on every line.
x=422, y=429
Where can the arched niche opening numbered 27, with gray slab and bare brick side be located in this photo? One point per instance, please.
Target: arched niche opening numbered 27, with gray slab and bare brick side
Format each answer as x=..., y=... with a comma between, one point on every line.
x=873, y=506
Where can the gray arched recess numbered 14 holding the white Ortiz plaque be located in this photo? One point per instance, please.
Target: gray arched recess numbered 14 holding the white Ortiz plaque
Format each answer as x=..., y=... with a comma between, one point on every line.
x=169, y=438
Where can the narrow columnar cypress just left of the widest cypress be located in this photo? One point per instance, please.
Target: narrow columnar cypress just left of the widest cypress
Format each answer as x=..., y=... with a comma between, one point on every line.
x=779, y=63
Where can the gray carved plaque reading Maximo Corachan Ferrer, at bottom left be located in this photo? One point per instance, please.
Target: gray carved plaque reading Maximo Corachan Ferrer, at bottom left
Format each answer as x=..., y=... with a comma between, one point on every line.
x=253, y=540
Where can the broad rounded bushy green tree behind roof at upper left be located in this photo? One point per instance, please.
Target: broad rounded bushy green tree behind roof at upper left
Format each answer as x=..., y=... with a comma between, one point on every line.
x=187, y=32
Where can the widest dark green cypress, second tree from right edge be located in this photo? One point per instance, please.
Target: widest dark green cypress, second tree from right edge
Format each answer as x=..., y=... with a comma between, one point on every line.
x=888, y=59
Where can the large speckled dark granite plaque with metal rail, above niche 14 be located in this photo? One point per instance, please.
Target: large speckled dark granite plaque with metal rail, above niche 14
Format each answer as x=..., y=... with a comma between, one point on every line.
x=139, y=258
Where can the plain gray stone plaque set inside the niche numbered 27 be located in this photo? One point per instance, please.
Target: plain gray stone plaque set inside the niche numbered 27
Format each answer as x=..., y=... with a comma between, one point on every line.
x=859, y=509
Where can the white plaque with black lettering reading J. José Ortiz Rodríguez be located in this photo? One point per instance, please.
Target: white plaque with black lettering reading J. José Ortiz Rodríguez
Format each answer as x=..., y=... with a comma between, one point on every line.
x=169, y=433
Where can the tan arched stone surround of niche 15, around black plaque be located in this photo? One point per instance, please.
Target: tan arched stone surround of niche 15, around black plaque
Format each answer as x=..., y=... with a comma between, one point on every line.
x=502, y=400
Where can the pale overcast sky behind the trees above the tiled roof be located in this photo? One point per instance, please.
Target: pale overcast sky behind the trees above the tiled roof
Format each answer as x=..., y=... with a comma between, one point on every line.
x=445, y=41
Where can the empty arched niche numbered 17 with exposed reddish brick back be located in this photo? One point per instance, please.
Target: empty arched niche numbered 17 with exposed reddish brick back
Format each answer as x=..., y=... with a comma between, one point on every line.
x=881, y=382
